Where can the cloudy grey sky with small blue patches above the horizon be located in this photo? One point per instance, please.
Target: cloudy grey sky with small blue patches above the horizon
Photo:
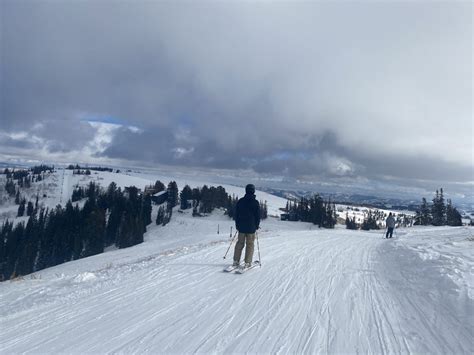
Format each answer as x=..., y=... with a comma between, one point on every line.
x=318, y=91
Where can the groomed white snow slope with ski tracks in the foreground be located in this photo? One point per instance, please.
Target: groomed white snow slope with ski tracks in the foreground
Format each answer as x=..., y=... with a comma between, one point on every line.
x=319, y=291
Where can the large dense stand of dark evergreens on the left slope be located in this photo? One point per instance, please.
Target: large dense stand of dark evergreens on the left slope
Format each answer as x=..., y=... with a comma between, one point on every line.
x=52, y=237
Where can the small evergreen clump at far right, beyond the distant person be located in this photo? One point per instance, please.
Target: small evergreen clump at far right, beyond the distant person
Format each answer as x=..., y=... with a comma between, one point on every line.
x=438, y=213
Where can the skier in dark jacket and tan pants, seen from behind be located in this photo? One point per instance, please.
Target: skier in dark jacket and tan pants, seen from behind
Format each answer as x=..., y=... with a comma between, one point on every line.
x=247, y=221
